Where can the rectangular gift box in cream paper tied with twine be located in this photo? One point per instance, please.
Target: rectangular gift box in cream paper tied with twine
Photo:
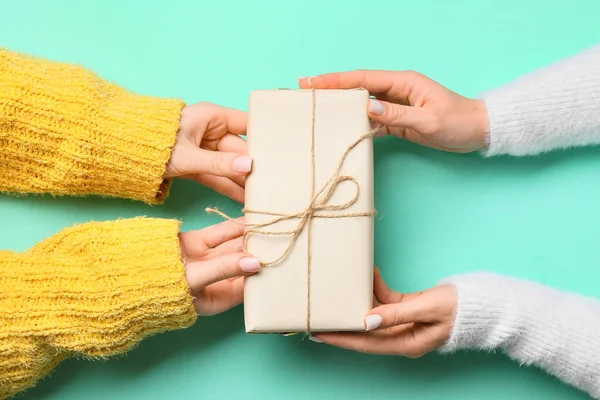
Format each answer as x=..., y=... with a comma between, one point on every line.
x=317, y=270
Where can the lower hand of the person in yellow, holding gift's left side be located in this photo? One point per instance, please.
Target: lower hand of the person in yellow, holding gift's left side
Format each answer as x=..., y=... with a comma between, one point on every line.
x=215, y=265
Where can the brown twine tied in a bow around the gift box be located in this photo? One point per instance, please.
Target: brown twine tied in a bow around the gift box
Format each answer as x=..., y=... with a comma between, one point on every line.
x=318, y=204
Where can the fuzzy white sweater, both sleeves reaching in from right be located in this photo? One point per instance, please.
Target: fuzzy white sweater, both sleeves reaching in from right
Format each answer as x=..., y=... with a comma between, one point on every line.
x=555, y=107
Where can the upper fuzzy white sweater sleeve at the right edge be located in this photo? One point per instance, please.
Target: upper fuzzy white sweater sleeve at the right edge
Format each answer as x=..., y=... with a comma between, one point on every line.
x=555, y=107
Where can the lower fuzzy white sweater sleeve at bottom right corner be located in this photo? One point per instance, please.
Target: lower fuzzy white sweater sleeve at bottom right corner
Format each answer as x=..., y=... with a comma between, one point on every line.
x=534, y=324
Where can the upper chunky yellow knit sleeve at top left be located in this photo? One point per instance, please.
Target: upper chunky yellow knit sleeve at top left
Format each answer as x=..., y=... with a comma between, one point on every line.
x=65, y=131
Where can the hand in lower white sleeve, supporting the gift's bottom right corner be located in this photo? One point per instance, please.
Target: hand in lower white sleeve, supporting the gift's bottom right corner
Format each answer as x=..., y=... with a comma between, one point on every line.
x=409, y=325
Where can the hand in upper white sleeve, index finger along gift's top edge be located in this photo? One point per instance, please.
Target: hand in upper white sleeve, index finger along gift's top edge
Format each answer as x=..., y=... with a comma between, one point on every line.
x=414, y=107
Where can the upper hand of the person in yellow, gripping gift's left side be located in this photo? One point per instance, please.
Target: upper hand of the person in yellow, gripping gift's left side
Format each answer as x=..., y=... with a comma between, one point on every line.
x=210, y=151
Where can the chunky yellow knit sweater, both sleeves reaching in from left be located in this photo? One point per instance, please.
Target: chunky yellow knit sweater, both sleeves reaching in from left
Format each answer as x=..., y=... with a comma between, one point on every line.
x=96, y=289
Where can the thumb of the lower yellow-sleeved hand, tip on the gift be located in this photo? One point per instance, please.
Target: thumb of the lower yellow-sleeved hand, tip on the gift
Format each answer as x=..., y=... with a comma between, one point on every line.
x=200, y=274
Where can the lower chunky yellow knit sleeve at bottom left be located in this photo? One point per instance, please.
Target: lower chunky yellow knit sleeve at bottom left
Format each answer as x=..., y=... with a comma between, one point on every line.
x=93, y=290
